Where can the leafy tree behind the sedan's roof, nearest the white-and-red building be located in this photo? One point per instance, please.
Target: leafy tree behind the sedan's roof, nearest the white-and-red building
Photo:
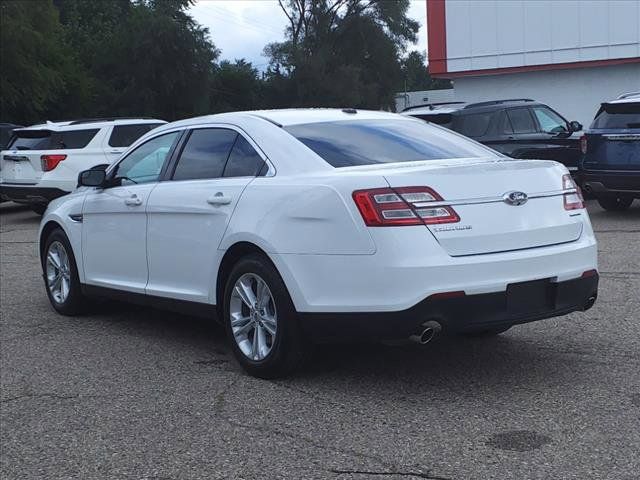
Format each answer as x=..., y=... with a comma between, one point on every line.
x=341, y=52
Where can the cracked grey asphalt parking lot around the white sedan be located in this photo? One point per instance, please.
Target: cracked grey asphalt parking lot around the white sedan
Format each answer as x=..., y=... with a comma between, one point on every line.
x=132, y=393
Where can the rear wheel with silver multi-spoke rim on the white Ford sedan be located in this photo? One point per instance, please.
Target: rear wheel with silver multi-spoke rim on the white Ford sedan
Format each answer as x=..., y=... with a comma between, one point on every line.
x=260, y=351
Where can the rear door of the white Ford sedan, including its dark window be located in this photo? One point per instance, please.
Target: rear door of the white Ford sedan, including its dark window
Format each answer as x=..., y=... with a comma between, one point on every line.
x=189, y=213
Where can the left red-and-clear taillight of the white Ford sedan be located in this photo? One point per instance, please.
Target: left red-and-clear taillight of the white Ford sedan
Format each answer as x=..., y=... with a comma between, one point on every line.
x=389, y=207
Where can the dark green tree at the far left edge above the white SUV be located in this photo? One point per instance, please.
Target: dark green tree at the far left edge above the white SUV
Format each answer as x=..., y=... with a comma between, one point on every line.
x=37, y=64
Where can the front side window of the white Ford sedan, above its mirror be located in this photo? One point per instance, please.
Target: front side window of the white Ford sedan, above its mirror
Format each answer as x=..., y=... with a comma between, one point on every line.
x=144, y=164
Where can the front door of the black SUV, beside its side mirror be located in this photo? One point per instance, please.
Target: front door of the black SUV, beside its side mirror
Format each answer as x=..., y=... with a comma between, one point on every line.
x=556, y=140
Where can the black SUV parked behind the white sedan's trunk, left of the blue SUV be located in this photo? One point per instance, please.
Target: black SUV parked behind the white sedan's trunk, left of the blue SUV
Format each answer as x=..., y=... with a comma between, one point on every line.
x=519, y=128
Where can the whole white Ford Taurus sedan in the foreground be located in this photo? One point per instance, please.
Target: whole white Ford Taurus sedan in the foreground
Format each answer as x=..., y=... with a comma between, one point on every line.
x=298, y=226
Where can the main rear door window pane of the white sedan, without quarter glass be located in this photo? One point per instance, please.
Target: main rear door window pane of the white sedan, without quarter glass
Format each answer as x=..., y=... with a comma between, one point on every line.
x=205, y=154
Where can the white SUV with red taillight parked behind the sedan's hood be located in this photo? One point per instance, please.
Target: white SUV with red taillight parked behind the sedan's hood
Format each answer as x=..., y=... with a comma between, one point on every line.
x=42, y=162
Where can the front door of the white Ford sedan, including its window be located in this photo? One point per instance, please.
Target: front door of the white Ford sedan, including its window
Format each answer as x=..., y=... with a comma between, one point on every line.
x=114, y=229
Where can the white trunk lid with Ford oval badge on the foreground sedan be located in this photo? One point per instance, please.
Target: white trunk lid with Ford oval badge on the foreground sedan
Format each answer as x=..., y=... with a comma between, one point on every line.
x=490, y=222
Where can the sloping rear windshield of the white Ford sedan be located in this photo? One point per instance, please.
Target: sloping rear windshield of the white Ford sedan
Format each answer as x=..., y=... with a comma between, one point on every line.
x=368, y=142
